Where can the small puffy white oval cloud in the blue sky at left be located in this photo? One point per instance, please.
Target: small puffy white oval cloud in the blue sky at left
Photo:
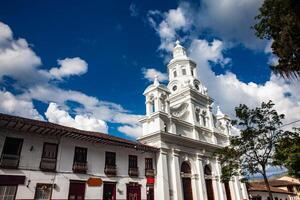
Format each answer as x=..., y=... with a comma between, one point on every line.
x=69, y=67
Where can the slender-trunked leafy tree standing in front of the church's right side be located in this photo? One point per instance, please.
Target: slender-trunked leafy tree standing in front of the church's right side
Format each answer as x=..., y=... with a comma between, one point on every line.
x=253, y=150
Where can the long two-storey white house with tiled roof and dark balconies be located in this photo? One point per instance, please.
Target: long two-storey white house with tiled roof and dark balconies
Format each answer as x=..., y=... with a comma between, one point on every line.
x=41, y=160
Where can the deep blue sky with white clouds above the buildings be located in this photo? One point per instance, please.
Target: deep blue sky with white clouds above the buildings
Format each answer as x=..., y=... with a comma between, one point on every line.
x=117, y=47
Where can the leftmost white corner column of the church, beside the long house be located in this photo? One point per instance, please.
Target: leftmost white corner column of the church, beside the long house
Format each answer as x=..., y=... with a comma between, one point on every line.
x=162, y=182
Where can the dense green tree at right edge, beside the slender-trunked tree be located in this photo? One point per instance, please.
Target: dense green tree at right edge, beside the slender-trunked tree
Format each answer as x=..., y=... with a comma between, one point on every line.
x=287, y=153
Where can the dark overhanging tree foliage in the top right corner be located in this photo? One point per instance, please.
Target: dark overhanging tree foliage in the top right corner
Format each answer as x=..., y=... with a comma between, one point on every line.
x=279, y=20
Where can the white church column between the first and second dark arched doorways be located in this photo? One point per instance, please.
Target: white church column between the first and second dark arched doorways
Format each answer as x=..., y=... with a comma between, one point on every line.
x=201, y=181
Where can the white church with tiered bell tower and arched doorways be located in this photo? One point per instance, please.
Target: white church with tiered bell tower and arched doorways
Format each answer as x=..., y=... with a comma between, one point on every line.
x=180, y=122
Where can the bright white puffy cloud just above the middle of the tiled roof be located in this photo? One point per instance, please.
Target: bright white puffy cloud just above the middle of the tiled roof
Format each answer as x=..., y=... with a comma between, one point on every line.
x=83, y=122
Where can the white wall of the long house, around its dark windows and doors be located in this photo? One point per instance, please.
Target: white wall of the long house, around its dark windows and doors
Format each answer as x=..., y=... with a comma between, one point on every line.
x=30, y=161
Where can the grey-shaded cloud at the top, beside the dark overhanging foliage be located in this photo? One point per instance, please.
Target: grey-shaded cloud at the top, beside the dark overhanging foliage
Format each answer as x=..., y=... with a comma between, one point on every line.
x=231, y=20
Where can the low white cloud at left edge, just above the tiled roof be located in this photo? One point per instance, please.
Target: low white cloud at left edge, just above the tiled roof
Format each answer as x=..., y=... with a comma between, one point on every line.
x=11, y=104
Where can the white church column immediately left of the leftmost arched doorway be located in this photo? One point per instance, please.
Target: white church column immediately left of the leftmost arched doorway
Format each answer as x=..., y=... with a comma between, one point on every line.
x=177, y=185
